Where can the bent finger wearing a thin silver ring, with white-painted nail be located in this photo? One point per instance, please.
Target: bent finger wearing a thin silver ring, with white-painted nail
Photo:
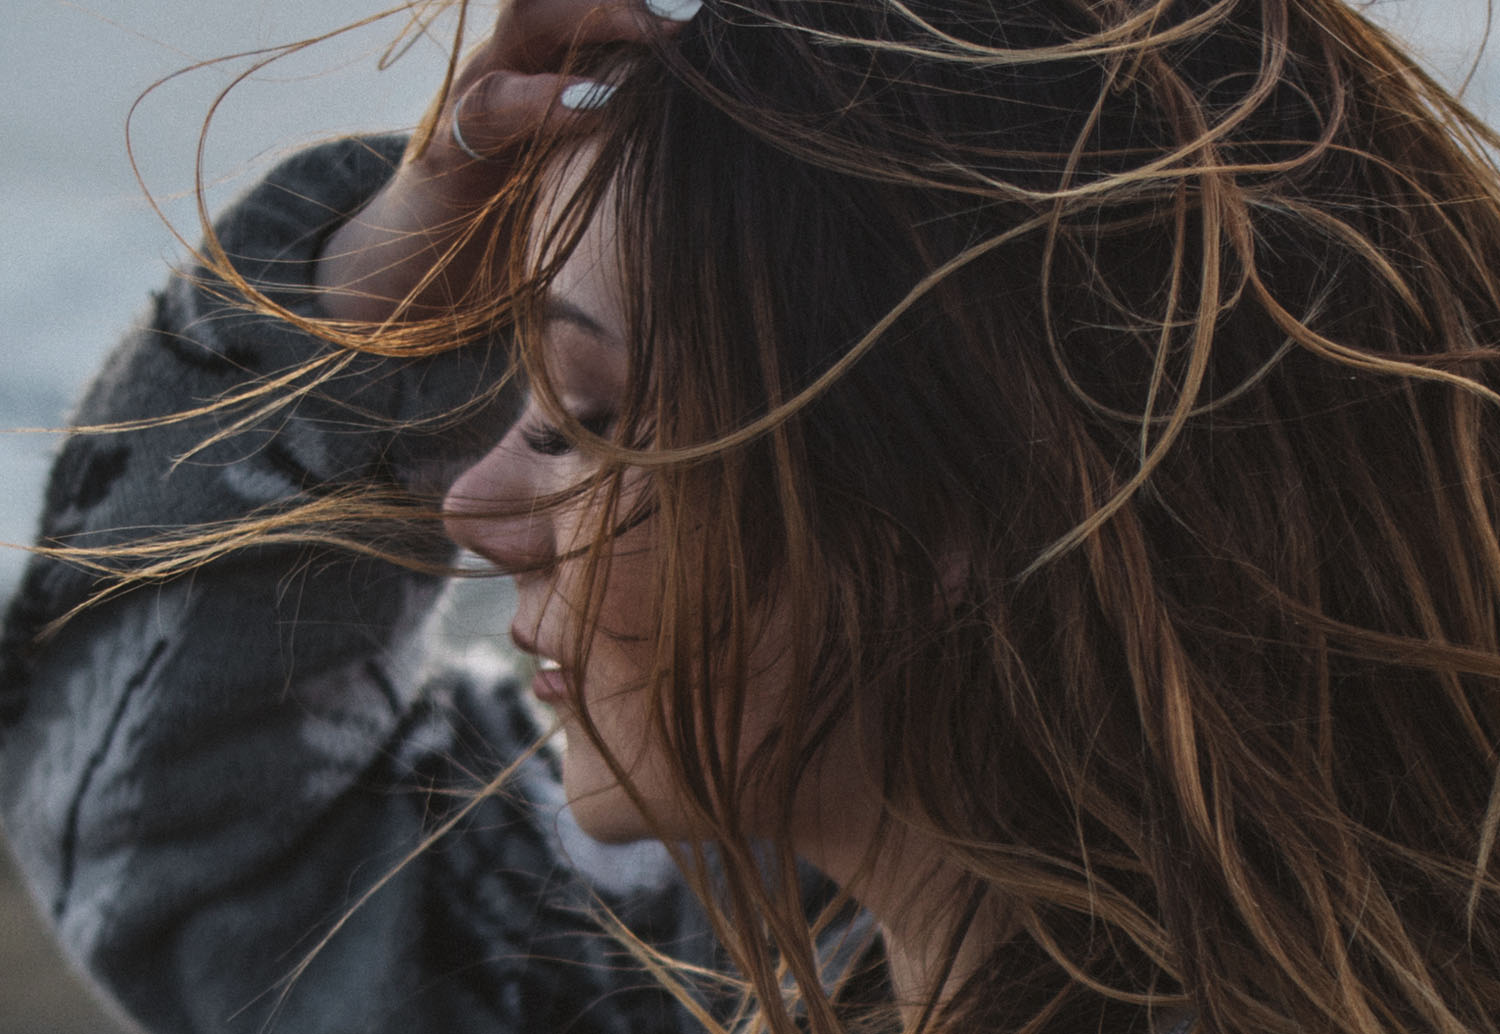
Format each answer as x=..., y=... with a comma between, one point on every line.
x=505, y=109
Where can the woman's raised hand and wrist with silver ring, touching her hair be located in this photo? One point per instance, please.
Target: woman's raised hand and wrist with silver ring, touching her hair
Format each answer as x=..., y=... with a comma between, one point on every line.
x=508, y=92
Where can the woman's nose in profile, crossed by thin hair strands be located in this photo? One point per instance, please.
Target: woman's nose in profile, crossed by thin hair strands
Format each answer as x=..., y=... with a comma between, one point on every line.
x=491, y=511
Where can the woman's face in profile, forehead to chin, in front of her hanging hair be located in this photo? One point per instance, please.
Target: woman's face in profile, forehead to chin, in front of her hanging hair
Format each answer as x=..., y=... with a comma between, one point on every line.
x=584, y=352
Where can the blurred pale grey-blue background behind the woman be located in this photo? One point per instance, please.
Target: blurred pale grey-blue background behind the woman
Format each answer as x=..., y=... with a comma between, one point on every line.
x=80, y=245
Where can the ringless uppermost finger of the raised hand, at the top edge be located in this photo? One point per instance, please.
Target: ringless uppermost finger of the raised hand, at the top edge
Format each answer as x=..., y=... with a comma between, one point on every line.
x=536, y=35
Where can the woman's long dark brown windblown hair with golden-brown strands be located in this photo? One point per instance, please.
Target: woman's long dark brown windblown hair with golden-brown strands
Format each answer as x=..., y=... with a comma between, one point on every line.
x=1102, y=394
